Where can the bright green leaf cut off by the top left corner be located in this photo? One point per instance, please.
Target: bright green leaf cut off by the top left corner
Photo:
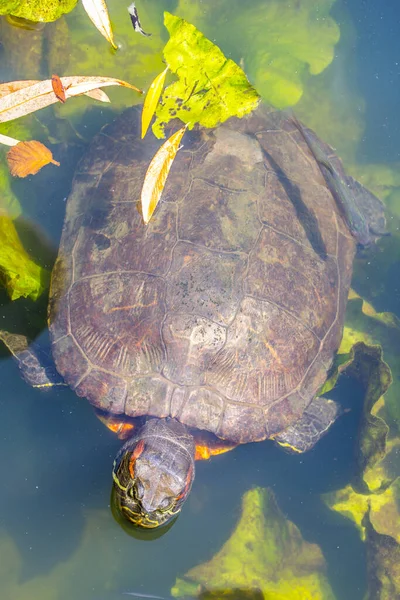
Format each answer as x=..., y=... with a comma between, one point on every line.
x=37, y=10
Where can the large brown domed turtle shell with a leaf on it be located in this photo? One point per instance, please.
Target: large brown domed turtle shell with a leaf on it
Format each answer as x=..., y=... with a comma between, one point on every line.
x=225, y=311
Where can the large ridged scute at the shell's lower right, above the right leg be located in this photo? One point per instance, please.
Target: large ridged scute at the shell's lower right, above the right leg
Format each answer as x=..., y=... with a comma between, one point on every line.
x=264, y=355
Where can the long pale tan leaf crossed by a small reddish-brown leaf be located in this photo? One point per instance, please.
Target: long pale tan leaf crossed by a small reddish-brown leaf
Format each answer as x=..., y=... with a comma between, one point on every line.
x=40, y=94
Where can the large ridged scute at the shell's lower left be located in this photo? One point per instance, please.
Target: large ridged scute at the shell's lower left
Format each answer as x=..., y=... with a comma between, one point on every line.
x=120, y=331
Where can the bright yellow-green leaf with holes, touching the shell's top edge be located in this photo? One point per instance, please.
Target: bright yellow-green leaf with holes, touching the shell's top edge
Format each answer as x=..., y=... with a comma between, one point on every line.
x=210, y=88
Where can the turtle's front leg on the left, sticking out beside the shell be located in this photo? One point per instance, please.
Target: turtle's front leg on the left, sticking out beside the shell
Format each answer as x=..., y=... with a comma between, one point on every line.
x=36, y=366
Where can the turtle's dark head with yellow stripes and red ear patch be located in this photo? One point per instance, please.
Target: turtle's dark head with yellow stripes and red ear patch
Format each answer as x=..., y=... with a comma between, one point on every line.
x=153, y=473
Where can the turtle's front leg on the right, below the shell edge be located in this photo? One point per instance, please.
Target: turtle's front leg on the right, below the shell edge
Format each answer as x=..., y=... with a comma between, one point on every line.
x=315, y=422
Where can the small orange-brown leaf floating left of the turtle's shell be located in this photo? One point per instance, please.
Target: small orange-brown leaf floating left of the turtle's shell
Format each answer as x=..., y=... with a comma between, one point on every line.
x=27, y=158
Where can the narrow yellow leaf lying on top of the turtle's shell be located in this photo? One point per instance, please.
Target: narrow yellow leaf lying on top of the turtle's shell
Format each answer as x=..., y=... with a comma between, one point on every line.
x=157, y=174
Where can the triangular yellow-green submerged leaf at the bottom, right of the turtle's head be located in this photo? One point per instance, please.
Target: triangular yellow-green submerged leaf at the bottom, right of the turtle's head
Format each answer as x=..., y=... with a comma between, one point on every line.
x=265, y=557
